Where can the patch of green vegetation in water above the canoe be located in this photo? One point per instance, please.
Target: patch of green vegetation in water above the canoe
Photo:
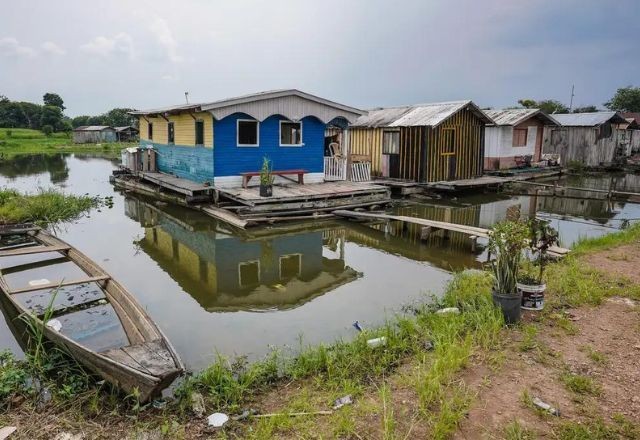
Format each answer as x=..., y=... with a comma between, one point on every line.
x=44, y=207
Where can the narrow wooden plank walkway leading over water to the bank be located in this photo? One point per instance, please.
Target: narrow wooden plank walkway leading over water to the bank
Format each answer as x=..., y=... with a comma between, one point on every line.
x=430, y=226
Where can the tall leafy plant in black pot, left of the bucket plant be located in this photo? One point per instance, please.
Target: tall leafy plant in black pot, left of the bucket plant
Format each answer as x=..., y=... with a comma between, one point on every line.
x=507, y=240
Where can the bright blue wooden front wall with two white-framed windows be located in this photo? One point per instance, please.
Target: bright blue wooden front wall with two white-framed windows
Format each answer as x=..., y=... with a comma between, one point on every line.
x=231, y=160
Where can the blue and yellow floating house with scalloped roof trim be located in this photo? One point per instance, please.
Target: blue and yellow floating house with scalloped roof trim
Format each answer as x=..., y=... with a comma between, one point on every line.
x=216, y=142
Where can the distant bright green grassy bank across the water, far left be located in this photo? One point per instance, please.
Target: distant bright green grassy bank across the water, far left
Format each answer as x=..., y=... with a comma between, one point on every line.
x=16, y=141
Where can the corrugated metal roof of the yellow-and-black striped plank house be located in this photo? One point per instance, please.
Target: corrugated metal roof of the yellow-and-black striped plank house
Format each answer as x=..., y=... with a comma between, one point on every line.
x=430, y=115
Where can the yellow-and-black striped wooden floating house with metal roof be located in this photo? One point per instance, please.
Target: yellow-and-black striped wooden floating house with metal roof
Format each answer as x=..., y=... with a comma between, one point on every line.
x=422, y=143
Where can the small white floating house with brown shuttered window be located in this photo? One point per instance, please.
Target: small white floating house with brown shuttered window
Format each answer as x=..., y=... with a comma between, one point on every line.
x=516, y=138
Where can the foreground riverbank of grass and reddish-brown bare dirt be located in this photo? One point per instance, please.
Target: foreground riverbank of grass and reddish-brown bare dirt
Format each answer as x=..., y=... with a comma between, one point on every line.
x=438, y=376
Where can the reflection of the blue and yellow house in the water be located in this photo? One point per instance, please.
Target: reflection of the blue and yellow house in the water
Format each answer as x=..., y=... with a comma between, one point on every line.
x=224, y=272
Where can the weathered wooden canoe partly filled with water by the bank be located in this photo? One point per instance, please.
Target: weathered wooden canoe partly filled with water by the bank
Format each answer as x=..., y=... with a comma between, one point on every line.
x=93, y=316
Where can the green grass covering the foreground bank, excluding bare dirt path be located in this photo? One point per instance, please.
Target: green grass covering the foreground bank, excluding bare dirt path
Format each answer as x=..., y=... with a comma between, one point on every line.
x=416, y=385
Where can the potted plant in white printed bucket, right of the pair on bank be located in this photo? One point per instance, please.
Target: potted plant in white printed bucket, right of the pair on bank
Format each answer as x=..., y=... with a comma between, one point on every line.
x=530, y=284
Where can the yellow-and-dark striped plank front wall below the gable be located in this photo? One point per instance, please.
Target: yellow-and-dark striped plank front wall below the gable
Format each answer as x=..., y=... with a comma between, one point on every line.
x=468, y=148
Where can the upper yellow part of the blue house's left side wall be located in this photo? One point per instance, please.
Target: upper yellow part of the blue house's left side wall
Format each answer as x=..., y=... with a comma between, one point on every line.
x=184, y=125
